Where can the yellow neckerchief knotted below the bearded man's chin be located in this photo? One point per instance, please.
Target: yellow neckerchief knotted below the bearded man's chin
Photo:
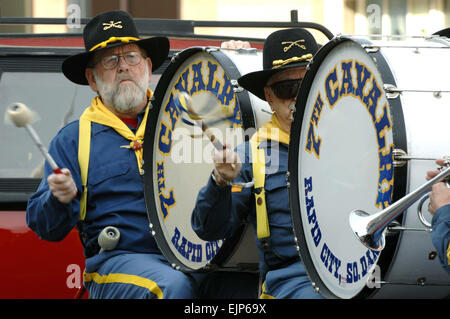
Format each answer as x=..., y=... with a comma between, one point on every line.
x=100, y=114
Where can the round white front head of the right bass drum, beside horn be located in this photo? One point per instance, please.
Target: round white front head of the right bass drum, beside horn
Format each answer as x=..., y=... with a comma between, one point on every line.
x=340, y=160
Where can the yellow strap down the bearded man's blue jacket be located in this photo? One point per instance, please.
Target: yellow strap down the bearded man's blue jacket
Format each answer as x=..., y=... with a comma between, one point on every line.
x=84, y=150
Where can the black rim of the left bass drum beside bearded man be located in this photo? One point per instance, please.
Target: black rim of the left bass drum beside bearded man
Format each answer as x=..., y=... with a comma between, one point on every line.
x=230, y=244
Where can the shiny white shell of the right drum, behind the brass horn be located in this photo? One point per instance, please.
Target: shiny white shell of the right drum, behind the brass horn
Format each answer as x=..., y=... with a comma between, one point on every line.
x=421, y=67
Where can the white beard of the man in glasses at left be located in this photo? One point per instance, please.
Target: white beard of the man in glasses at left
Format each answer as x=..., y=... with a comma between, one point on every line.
x=125, y=97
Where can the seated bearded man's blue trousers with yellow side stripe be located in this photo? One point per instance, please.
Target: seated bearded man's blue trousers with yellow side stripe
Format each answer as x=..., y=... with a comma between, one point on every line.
x=149, y=276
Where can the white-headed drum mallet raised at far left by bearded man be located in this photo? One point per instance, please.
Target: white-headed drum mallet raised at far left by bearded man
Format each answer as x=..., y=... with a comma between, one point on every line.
x=21, y=116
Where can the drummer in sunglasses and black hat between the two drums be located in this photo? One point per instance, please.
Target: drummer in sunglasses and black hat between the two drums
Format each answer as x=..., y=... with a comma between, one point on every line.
x=224, y=202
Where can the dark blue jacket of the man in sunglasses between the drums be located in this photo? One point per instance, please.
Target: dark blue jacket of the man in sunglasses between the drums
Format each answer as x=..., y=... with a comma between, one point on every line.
x=219, y=210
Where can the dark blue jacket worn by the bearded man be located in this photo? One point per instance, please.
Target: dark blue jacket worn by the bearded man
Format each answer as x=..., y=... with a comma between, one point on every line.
x=115, y=195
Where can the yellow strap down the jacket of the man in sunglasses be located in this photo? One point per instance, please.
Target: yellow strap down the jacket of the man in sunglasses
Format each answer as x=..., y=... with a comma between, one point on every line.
x=259, y=174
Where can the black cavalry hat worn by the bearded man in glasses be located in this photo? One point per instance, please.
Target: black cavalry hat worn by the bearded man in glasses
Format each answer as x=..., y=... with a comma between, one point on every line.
x=108, y=30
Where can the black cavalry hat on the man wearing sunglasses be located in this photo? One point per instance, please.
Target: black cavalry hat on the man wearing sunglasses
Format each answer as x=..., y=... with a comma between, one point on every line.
x=283, y=49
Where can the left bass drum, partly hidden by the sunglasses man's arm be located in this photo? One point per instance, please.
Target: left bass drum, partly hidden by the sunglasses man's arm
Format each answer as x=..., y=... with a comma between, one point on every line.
x=178, y=158
